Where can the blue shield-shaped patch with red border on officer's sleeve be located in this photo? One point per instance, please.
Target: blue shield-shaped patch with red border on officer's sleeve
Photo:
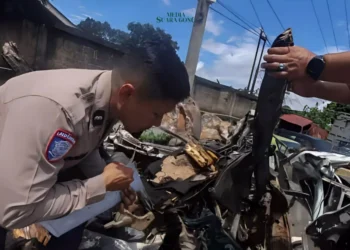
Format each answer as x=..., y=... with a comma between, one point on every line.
x=59, y=145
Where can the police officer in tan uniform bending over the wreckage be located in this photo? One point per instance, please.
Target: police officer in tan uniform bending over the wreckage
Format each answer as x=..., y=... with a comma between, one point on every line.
x=51, y=121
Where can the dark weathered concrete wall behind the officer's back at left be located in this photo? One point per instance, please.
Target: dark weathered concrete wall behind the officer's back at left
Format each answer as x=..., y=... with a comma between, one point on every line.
x=52, y=48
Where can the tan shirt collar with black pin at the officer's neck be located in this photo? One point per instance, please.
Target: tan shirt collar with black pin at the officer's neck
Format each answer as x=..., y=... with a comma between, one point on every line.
x=100, y=110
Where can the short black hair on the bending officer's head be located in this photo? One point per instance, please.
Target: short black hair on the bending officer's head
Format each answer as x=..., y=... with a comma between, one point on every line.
x=156, y=70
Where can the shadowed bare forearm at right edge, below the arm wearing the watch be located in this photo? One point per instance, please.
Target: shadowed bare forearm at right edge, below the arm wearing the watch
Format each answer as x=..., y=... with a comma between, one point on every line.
x=332, y=91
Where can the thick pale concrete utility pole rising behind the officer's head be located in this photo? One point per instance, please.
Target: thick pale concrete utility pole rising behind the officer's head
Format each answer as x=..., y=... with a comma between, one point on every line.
x=196, y=39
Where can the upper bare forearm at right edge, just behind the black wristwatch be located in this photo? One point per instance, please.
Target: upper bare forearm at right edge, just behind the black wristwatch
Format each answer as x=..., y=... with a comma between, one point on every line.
x=337, y=68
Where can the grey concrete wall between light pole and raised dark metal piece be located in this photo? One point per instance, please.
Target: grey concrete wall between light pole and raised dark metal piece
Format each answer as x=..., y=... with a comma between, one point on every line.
x=217, y=98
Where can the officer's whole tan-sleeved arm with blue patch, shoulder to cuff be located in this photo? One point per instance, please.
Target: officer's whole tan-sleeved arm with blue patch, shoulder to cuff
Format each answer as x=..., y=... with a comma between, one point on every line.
x=31, y=155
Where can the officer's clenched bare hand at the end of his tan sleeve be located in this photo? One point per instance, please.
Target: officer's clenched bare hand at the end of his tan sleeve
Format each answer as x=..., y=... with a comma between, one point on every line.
x=117, y=176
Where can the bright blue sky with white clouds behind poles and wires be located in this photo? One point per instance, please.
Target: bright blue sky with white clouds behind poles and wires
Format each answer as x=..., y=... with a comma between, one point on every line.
x=228, y=50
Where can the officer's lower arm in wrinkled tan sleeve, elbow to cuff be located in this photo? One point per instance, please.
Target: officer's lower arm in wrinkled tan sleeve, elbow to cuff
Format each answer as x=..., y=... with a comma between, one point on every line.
x=62, y=199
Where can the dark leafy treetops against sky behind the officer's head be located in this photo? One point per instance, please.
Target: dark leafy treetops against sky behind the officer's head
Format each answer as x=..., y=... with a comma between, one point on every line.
x=137, y=35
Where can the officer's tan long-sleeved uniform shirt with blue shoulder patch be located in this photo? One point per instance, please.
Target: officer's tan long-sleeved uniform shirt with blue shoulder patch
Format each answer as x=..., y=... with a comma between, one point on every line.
x=49, y=121
